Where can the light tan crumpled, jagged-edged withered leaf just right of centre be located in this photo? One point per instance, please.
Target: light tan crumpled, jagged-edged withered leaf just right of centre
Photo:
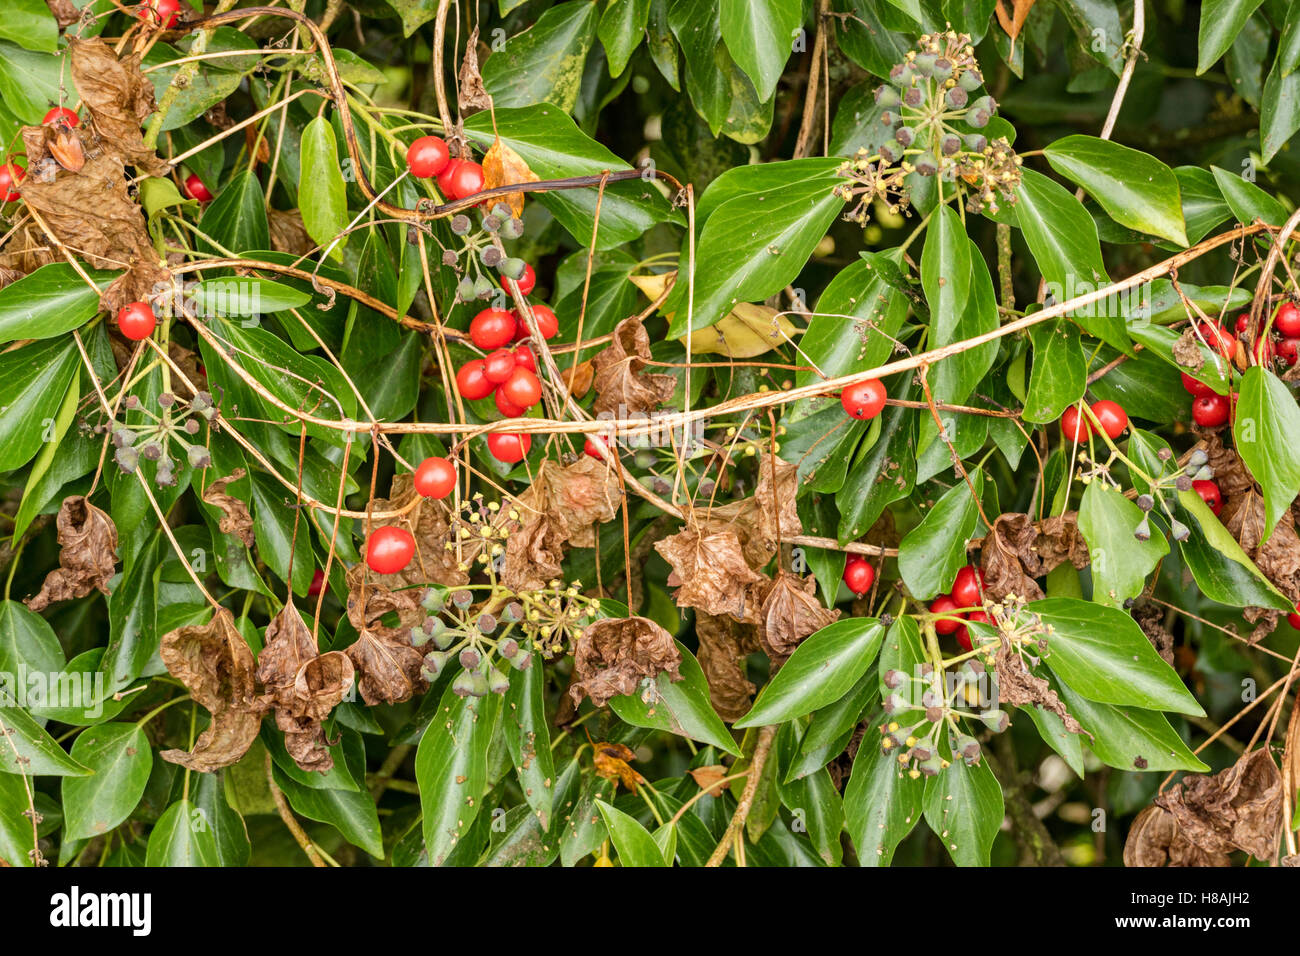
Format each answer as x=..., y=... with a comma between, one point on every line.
x=710, y=572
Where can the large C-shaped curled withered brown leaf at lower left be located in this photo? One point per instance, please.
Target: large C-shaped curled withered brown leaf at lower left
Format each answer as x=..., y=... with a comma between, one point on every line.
x=218, y=669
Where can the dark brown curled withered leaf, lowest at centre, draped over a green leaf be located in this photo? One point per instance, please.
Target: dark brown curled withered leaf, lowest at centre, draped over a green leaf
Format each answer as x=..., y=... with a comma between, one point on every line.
x=614, y=655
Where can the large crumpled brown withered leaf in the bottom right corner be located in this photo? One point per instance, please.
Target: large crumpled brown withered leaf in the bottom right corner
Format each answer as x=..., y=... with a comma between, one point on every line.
x=1238, y=808
